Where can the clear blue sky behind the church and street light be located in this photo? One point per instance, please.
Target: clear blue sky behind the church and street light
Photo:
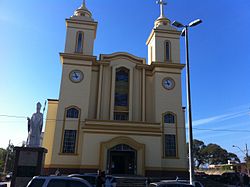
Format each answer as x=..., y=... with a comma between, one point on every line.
x=33, y=33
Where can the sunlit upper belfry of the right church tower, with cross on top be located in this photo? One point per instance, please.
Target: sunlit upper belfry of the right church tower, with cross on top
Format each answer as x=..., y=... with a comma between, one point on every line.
x=163, y=42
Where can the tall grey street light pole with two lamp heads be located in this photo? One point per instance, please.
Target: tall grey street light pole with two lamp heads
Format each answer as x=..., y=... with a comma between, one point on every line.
x=189, y=108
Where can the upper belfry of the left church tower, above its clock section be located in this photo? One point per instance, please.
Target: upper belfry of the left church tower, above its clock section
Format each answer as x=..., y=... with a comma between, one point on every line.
x=81, y=32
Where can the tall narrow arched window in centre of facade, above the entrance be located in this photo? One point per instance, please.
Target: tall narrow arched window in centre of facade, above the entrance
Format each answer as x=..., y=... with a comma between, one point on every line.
x=121, y=94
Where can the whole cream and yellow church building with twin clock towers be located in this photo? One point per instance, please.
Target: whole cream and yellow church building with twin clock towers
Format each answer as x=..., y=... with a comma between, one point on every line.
x=118, y=113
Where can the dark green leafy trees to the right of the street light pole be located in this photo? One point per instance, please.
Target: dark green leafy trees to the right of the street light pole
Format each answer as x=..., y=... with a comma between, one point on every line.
x=211, y=154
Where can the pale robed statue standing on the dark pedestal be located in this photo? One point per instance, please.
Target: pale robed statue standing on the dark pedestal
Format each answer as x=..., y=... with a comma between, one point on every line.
x=35, y=125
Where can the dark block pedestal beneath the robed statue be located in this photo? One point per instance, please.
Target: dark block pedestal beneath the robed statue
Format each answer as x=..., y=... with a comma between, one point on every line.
x=29, y=162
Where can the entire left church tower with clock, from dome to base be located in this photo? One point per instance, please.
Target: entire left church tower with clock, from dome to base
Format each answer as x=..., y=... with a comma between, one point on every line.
x=75, y=90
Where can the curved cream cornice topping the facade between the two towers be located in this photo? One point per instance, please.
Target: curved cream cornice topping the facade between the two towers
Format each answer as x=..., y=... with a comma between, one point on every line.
x=123, y=56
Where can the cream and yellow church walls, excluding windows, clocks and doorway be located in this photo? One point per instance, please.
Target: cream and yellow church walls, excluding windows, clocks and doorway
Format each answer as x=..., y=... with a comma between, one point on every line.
x=94, y=96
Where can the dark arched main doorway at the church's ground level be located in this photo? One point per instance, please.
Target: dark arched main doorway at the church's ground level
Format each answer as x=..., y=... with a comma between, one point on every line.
x=122, y=159
